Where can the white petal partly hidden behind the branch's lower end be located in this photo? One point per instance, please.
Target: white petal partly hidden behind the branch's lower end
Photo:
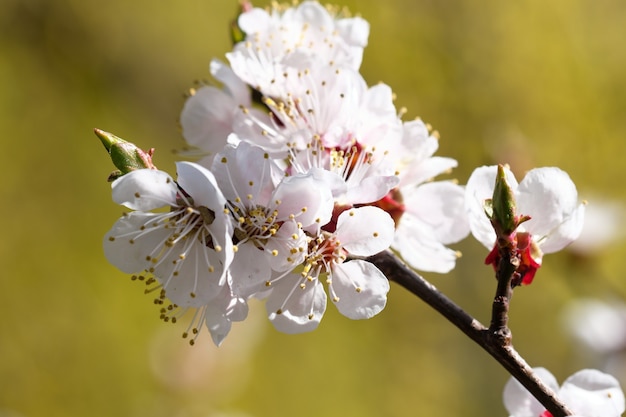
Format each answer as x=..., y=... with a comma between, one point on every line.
x=519, y=402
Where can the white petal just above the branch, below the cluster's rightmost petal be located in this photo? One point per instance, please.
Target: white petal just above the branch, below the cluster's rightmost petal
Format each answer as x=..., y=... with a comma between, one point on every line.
x=423, y=252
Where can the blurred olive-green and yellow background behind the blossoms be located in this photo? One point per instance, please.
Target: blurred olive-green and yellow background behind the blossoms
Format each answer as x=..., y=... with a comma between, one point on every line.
x=531, y=83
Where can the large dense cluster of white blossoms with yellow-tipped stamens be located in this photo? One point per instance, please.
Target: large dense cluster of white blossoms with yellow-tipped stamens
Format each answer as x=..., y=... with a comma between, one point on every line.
x=305, y=171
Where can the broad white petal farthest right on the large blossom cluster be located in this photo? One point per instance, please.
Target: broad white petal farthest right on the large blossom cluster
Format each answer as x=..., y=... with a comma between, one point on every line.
x=437, y=206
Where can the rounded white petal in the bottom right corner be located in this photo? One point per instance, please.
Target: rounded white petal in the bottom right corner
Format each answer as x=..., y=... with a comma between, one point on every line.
x=593, y=394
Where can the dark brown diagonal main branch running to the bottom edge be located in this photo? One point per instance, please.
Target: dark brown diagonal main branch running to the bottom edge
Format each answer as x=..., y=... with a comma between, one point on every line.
x=499, y=348
